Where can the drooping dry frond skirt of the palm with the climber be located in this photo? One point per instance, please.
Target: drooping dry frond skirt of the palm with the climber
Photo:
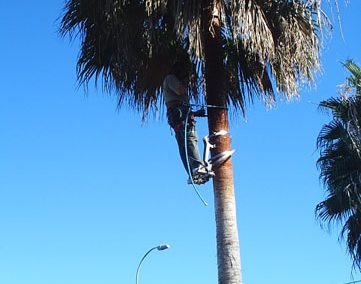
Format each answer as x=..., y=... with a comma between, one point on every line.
x=130, y=45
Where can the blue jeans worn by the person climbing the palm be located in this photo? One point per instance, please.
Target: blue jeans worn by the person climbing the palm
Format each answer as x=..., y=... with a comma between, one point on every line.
x=176, y=119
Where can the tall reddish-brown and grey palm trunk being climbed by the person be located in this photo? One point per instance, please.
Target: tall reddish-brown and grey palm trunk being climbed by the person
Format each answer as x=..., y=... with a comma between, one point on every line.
x=229, y=263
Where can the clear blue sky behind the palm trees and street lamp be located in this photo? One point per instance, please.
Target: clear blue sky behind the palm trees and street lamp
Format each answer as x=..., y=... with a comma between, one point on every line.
x=86, y=190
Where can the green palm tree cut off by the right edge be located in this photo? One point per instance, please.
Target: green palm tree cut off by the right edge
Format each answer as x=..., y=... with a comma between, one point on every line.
x=340, y=162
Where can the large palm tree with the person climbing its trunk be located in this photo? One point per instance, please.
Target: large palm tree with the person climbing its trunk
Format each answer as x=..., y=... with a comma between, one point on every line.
x=238, y=49
